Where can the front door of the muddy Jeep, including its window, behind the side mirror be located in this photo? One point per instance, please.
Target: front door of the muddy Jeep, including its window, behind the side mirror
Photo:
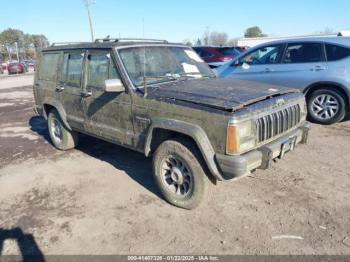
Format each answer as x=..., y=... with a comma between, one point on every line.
x=108, y=115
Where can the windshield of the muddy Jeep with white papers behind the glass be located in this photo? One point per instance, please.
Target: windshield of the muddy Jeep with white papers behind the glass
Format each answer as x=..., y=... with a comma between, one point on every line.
x=158, y=64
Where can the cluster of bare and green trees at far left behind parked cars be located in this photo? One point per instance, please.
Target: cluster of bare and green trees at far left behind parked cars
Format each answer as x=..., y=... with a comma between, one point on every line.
x=14, y=41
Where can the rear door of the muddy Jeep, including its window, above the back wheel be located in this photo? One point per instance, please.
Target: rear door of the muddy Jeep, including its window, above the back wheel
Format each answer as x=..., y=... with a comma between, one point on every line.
x=69, y=88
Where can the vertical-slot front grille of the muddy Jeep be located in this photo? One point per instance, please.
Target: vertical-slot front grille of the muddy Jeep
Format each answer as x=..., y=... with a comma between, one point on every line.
x=277, y=123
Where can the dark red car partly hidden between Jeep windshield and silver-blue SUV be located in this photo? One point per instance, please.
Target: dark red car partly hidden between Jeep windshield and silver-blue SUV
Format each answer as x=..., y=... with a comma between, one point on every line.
x=216, y=56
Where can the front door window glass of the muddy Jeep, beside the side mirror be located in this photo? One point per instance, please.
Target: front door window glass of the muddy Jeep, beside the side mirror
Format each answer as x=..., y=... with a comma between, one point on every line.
x=100, y=68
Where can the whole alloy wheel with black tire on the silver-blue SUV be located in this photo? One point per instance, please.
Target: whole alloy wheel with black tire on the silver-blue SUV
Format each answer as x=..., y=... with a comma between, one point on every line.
x=326, y=107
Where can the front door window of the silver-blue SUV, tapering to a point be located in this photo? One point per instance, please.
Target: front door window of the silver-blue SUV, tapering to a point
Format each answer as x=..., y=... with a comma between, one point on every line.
x=264, y=56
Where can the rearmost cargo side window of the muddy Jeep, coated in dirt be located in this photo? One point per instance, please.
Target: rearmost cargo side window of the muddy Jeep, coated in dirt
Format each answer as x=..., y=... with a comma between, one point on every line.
x=48, y=66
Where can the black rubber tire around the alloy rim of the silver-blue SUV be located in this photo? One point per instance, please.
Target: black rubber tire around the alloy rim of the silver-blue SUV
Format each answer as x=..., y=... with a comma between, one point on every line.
x=339, y=116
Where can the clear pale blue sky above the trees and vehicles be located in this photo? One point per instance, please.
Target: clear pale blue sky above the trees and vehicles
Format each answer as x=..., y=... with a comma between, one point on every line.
x=66, y=20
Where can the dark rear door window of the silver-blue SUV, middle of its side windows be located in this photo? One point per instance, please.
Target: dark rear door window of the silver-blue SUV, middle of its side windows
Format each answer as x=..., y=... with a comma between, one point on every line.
x=304, y=53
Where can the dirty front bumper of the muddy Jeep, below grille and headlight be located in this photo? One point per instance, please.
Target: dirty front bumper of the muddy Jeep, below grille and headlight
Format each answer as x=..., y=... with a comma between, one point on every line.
x=236, y=166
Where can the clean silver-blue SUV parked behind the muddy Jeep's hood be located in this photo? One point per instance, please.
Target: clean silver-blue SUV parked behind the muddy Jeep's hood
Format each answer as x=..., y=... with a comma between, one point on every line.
x=319, y=67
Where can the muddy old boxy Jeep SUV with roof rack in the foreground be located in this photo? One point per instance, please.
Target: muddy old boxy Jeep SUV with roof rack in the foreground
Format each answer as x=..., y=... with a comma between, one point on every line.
x=162, y=100
